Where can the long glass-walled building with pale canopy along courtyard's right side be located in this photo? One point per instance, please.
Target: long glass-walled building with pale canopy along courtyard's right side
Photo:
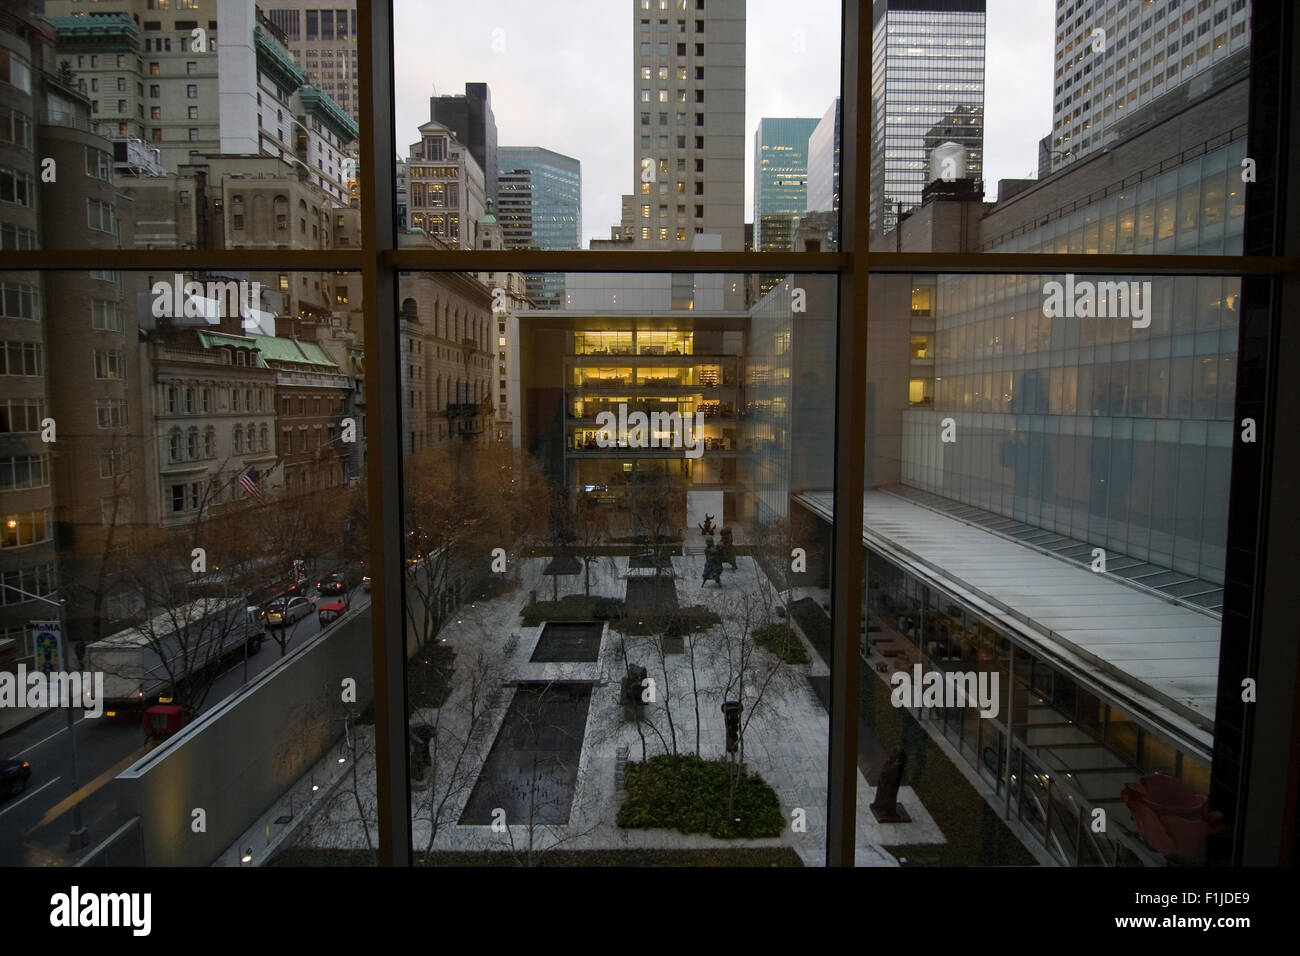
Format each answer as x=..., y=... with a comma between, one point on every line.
x=1087, y=453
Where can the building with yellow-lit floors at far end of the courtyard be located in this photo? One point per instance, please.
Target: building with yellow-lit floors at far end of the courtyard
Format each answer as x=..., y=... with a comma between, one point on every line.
x=626, y=345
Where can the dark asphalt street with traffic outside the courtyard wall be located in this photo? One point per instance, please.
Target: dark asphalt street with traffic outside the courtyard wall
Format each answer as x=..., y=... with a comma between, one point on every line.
x=37, y=824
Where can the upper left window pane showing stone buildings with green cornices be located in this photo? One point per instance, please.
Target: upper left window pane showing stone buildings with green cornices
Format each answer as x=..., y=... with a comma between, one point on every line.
x=167, y=139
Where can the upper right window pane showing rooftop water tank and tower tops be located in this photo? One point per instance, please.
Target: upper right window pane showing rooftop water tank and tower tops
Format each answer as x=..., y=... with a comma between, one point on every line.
x=1037, y=129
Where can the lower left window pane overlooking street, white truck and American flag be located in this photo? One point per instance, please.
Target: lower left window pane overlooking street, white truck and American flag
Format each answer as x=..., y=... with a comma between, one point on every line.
x=142, y=482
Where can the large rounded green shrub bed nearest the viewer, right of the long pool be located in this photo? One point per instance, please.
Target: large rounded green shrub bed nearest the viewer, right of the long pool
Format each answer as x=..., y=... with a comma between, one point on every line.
x=690, y=795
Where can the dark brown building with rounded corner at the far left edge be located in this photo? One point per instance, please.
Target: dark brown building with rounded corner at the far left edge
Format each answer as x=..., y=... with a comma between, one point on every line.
x=88, y=399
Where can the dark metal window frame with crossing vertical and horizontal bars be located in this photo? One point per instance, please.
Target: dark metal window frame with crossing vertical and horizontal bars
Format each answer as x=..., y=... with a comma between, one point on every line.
x=1260, y=801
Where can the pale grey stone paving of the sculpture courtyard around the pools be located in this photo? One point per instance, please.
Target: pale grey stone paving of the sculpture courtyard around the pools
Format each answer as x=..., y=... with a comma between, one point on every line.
x=786, y=739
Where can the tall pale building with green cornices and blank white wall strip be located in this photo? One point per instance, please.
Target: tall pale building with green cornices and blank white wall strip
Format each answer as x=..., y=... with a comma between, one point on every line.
x=171, y=79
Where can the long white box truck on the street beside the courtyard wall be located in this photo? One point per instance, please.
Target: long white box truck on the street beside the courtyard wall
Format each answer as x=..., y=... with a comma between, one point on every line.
x=142, y=664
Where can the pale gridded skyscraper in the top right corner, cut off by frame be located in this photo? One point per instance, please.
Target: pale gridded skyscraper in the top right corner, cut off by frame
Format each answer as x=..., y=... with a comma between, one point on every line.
x=1116, y=58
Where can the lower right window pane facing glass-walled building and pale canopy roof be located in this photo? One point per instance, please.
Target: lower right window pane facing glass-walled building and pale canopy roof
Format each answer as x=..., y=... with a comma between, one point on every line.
x=1071, y=486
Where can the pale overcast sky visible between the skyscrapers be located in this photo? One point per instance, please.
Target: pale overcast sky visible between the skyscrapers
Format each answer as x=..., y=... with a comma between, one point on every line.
x=560, y=77
